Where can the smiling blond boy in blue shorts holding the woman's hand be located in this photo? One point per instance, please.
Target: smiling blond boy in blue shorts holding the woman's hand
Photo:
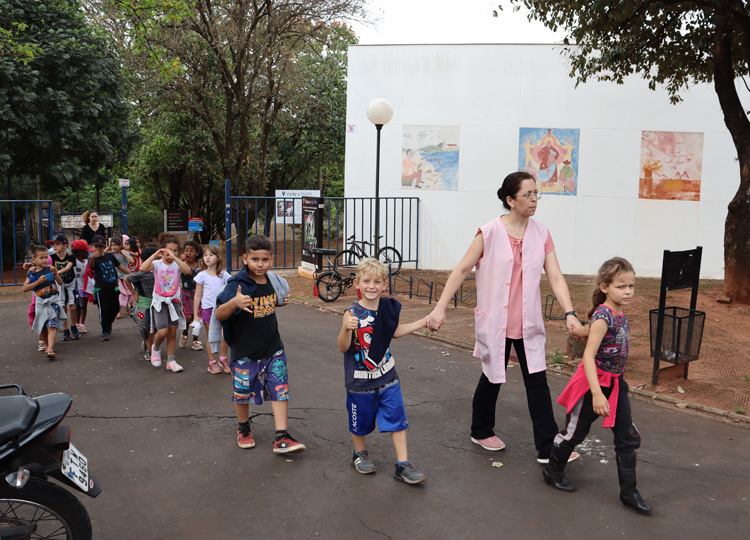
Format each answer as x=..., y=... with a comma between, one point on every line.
x=372, y=385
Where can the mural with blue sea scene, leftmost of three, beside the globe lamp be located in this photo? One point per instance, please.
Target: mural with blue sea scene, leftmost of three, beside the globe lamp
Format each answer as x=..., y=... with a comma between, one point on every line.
x=429, y=158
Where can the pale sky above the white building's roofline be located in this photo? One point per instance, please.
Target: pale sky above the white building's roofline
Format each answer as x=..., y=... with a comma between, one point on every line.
x=450, y=21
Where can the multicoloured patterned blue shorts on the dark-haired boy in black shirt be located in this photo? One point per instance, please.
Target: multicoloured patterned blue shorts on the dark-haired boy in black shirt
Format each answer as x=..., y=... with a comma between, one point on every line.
x=256, y=380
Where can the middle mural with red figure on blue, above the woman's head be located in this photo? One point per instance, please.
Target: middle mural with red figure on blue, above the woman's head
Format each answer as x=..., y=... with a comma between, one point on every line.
x=551, y=156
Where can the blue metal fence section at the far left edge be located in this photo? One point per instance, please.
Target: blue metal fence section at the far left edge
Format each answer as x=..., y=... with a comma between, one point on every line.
x=23, y=223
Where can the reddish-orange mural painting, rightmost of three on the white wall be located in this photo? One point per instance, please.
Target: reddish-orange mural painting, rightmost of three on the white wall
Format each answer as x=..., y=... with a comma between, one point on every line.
x=671, y=165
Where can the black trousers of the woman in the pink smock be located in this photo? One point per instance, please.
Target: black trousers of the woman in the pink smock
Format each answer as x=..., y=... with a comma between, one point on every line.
x=537, y=397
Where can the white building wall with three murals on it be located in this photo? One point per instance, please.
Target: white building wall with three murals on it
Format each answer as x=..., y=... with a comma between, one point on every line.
x=490, y=91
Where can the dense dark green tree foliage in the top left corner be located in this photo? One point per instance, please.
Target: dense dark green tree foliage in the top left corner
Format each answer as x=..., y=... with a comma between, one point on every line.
x=63, y=118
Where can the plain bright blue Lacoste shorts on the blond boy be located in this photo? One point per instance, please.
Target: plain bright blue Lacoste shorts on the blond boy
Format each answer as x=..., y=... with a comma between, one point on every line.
x=385, y=406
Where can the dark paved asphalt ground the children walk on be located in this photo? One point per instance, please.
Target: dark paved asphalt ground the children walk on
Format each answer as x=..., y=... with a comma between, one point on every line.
x=163, y=447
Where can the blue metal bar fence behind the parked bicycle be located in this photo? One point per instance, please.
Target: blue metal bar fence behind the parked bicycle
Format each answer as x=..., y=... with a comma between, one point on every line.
x=343, y=217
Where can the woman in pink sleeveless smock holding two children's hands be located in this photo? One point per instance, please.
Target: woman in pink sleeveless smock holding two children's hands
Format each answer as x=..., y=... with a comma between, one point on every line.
x=510, y=253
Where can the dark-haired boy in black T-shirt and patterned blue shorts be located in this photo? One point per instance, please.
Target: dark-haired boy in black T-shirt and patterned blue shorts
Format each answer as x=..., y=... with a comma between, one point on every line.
x=246, y=308
